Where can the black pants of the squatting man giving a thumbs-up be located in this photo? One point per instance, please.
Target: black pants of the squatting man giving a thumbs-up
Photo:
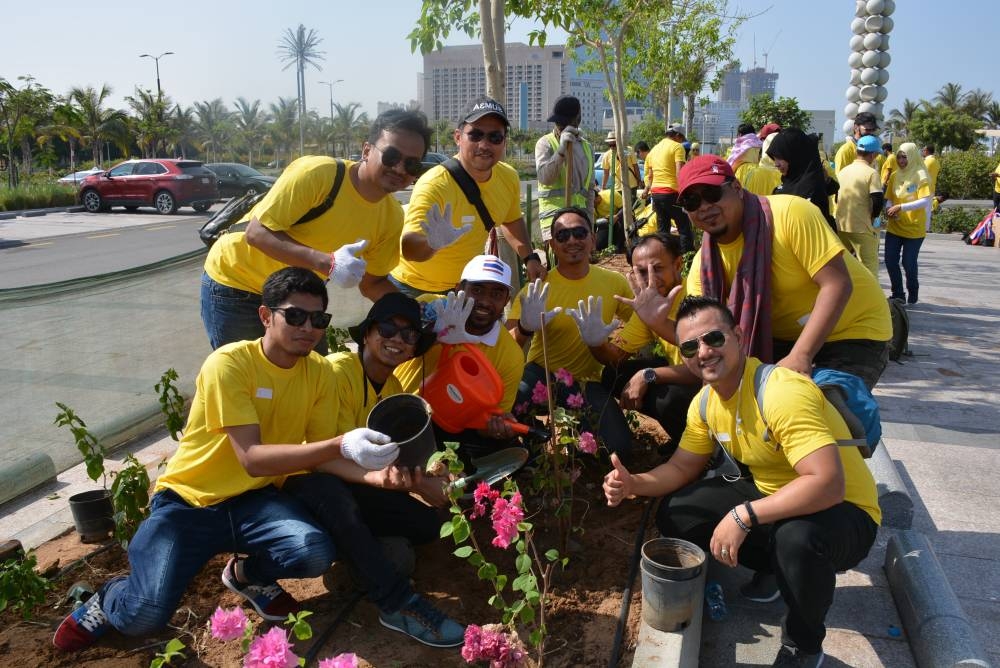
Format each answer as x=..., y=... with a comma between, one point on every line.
x=804, y=552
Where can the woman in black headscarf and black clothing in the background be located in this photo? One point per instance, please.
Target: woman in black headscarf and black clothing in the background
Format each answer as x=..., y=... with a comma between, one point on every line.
x=796, y=156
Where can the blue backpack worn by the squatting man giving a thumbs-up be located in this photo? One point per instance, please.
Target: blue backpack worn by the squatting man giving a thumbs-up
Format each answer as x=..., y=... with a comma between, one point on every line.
x=844, y=391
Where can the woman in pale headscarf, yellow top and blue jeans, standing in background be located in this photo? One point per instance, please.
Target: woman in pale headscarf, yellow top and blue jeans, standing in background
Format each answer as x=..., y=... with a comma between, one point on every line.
x=908, y=210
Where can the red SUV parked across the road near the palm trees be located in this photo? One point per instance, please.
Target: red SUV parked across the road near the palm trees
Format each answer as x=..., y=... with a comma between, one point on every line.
x=165, y=184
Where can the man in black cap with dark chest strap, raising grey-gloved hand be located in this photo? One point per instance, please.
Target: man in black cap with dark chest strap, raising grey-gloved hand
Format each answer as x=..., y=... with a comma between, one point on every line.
x=434, y=250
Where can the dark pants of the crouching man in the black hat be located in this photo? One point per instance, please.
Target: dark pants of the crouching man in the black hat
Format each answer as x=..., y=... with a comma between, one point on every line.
x=354, y=516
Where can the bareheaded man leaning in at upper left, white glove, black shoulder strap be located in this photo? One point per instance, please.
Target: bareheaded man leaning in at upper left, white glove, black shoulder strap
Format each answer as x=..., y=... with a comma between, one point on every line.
x=355, y=242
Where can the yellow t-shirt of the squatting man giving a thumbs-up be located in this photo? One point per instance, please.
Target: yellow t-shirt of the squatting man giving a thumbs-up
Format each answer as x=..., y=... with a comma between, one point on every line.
x=799, y=419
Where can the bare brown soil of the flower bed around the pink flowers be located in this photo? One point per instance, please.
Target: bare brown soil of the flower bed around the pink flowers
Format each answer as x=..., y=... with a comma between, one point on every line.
x=583, y=608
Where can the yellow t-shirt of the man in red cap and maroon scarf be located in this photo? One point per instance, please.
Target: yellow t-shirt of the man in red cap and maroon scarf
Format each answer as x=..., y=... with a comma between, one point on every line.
x=802, y=245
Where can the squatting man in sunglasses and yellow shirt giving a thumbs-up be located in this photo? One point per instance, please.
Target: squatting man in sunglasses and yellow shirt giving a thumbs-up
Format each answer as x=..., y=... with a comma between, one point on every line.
x=810, y=508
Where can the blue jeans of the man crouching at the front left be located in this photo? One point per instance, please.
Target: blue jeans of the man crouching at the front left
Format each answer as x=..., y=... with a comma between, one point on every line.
x=172, y=545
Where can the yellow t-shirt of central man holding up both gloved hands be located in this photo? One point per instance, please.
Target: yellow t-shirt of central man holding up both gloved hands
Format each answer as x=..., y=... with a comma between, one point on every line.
x=565, y=347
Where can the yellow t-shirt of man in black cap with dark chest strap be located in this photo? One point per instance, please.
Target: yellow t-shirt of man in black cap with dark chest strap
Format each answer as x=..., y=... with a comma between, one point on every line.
x=502, y=197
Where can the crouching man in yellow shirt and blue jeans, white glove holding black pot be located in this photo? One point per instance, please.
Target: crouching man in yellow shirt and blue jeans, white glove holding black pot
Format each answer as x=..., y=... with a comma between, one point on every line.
x=261, y=411
